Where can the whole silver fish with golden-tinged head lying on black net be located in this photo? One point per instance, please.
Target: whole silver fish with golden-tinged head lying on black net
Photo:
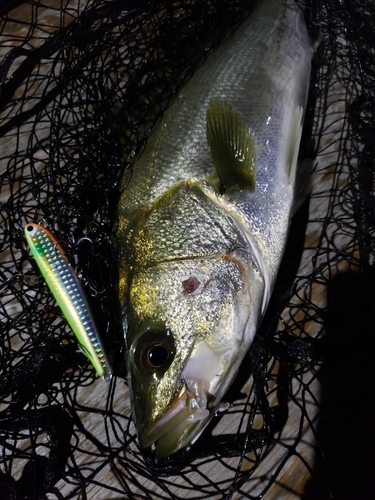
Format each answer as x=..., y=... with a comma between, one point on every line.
x=203, y=223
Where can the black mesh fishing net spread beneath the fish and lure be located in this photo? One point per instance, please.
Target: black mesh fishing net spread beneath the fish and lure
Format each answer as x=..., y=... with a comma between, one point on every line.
x=82, y=83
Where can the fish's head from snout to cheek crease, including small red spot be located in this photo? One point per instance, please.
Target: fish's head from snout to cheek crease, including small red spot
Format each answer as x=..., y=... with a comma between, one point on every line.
x=188, y=324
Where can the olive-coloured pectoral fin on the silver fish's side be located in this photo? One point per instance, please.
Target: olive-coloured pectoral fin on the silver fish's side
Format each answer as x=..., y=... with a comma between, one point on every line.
x=232, y=147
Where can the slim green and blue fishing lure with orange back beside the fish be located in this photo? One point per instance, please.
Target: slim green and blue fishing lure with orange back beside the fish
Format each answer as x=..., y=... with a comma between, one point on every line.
x=68, y=292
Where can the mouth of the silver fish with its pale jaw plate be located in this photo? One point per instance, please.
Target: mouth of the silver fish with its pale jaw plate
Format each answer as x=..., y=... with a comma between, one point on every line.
x=192, y=404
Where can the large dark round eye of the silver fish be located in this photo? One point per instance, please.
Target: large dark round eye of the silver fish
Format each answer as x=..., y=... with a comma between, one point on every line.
x=154, y=350
